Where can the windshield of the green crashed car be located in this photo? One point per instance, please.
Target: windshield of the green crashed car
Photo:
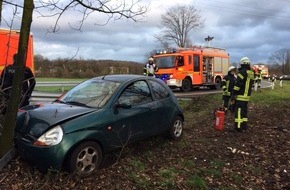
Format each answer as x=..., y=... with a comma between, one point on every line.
x=91, y=93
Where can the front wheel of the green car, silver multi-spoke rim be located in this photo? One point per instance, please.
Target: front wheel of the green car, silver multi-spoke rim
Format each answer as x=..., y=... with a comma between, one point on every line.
x=85, y=159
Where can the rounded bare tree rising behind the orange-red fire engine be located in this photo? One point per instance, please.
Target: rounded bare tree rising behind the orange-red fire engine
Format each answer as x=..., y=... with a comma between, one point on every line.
x=177, y=23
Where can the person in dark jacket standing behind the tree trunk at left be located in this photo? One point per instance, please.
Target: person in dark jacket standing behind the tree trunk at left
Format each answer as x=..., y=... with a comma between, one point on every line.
x=28, y=83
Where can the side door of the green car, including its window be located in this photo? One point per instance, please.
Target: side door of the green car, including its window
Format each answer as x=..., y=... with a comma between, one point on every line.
x=134, y=113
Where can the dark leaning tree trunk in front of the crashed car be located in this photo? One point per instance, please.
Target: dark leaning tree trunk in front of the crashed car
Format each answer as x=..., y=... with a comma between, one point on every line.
x=7, y=132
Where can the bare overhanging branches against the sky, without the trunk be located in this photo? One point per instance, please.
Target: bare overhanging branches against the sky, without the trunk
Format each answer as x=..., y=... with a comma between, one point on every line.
x=84, y=9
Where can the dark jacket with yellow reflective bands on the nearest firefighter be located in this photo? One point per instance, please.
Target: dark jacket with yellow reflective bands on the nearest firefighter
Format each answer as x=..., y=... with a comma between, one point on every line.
x=243, y=86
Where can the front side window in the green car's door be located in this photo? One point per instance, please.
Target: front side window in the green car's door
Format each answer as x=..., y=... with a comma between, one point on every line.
x=135, y=94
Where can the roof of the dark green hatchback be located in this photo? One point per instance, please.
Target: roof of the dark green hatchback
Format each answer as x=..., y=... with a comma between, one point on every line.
x=119, y=77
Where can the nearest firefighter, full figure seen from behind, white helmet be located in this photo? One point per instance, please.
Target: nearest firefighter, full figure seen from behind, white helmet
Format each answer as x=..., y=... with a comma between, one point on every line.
x=241, y=94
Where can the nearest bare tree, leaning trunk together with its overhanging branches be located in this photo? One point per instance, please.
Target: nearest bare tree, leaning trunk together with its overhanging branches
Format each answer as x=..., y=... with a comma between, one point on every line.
x=57, y=8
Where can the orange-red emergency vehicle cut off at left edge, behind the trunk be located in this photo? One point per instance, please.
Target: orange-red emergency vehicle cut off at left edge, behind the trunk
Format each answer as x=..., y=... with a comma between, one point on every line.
x=9, y=45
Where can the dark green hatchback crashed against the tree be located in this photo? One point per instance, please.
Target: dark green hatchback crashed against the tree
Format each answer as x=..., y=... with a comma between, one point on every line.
x=95, y=117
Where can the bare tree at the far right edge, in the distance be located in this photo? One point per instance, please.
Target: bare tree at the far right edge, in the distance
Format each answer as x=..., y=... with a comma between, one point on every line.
x=281, y=57
